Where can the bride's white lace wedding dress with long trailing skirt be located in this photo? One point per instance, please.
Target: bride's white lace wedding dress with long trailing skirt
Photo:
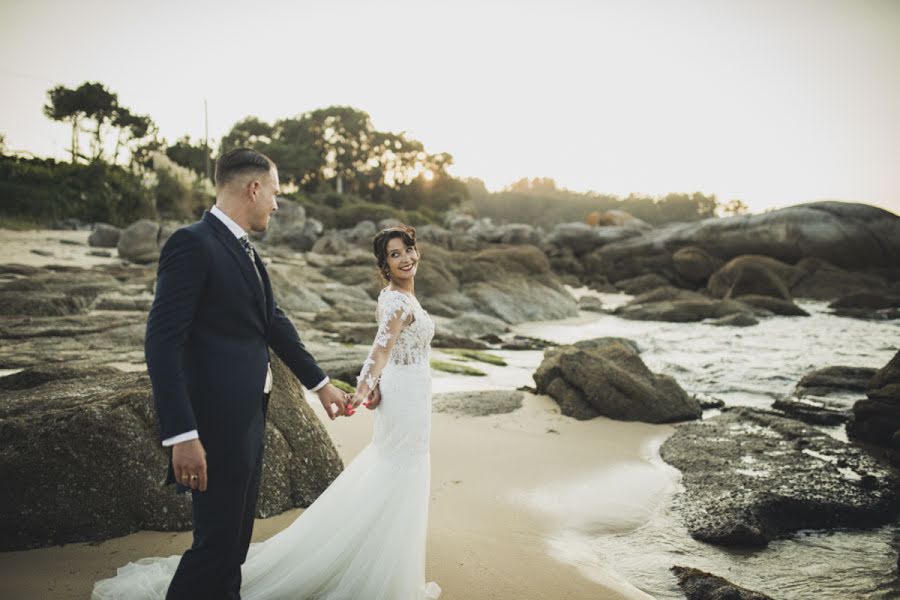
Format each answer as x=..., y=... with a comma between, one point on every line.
x=364, y=537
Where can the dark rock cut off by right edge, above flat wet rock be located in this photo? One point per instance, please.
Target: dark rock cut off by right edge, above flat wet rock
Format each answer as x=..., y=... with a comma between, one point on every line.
x=876, y=419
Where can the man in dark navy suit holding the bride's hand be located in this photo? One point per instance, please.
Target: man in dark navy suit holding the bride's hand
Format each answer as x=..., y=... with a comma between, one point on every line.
x=208, y=333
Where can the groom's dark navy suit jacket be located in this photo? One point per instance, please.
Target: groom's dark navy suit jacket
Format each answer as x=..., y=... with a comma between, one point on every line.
x=208, y=336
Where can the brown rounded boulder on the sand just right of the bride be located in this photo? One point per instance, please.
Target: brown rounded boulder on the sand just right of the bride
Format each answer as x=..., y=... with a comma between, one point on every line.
x=608, y=378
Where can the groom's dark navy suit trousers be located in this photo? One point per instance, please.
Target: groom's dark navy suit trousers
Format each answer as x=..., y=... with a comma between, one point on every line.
x=223, y=519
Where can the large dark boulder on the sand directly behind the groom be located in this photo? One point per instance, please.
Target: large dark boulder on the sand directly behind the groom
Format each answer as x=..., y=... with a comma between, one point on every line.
x=82, y=461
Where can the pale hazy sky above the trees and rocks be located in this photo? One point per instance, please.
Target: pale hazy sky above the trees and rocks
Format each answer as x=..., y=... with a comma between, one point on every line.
x=774, y=102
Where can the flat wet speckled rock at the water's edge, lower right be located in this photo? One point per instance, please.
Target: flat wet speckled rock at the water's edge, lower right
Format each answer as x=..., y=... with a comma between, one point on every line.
x=751, y=476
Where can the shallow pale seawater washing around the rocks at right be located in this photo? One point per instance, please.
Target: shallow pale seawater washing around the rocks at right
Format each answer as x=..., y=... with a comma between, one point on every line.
x=621, y=520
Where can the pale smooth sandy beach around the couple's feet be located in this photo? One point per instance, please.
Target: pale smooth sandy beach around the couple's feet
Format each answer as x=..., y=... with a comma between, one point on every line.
x=485, y=539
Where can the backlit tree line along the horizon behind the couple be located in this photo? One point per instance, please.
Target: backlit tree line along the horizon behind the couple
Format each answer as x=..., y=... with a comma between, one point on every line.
x=332, y=160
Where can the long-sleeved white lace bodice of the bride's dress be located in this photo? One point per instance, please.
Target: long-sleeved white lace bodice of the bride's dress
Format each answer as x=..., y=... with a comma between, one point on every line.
x=404, y=337
